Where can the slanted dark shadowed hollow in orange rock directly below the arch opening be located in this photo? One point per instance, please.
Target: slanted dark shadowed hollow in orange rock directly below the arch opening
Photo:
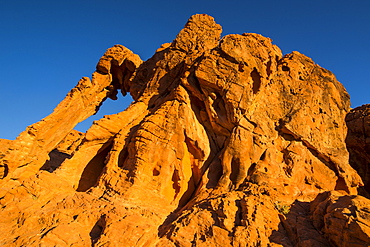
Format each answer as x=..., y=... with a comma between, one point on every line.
x=93, y=169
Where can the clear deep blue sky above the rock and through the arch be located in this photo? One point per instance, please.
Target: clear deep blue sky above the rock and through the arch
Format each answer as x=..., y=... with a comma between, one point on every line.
x=47, y=46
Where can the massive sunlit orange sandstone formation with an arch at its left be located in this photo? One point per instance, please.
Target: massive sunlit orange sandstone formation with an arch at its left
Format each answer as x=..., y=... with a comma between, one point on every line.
x=227, y=143
